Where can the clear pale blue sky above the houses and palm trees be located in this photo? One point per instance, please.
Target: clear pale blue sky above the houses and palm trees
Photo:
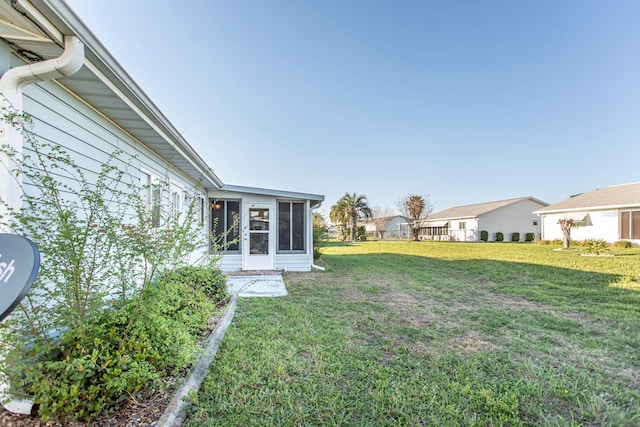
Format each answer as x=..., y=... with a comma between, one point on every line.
x=461, y=101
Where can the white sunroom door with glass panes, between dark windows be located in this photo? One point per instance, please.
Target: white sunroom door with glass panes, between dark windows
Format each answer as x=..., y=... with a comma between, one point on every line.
x=258, y=244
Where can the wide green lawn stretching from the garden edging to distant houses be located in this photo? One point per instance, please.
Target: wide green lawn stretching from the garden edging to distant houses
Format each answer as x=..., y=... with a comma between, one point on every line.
x=436, y=333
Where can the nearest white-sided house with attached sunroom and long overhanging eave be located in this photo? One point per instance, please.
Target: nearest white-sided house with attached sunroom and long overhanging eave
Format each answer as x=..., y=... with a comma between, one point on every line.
x=54, y=69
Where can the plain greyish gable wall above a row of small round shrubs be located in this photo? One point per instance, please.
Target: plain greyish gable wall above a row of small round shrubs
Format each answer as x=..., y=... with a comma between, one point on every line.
x=517, y=217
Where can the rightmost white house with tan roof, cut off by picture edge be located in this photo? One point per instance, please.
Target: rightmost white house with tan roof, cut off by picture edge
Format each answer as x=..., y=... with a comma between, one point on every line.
x=609, y=213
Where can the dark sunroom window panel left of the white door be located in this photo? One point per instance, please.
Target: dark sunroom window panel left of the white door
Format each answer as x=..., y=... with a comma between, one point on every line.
x=225, y=225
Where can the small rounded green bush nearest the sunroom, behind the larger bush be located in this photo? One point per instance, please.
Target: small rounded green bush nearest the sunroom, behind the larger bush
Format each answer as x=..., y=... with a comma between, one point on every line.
x=209, y=280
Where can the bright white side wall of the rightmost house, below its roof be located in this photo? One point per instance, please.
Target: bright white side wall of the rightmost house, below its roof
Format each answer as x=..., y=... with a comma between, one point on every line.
x=602, y=224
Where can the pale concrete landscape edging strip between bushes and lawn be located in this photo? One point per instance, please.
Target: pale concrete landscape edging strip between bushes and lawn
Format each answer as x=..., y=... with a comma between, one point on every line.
x=174, y=413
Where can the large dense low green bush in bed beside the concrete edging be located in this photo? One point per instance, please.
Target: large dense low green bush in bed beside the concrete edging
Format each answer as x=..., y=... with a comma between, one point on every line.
x=122, y=352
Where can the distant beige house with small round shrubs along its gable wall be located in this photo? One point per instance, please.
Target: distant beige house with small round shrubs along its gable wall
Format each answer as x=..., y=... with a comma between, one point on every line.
x=464, y=223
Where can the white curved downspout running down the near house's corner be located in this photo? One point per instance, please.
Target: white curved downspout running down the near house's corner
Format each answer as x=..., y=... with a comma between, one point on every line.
x=12, y=84
